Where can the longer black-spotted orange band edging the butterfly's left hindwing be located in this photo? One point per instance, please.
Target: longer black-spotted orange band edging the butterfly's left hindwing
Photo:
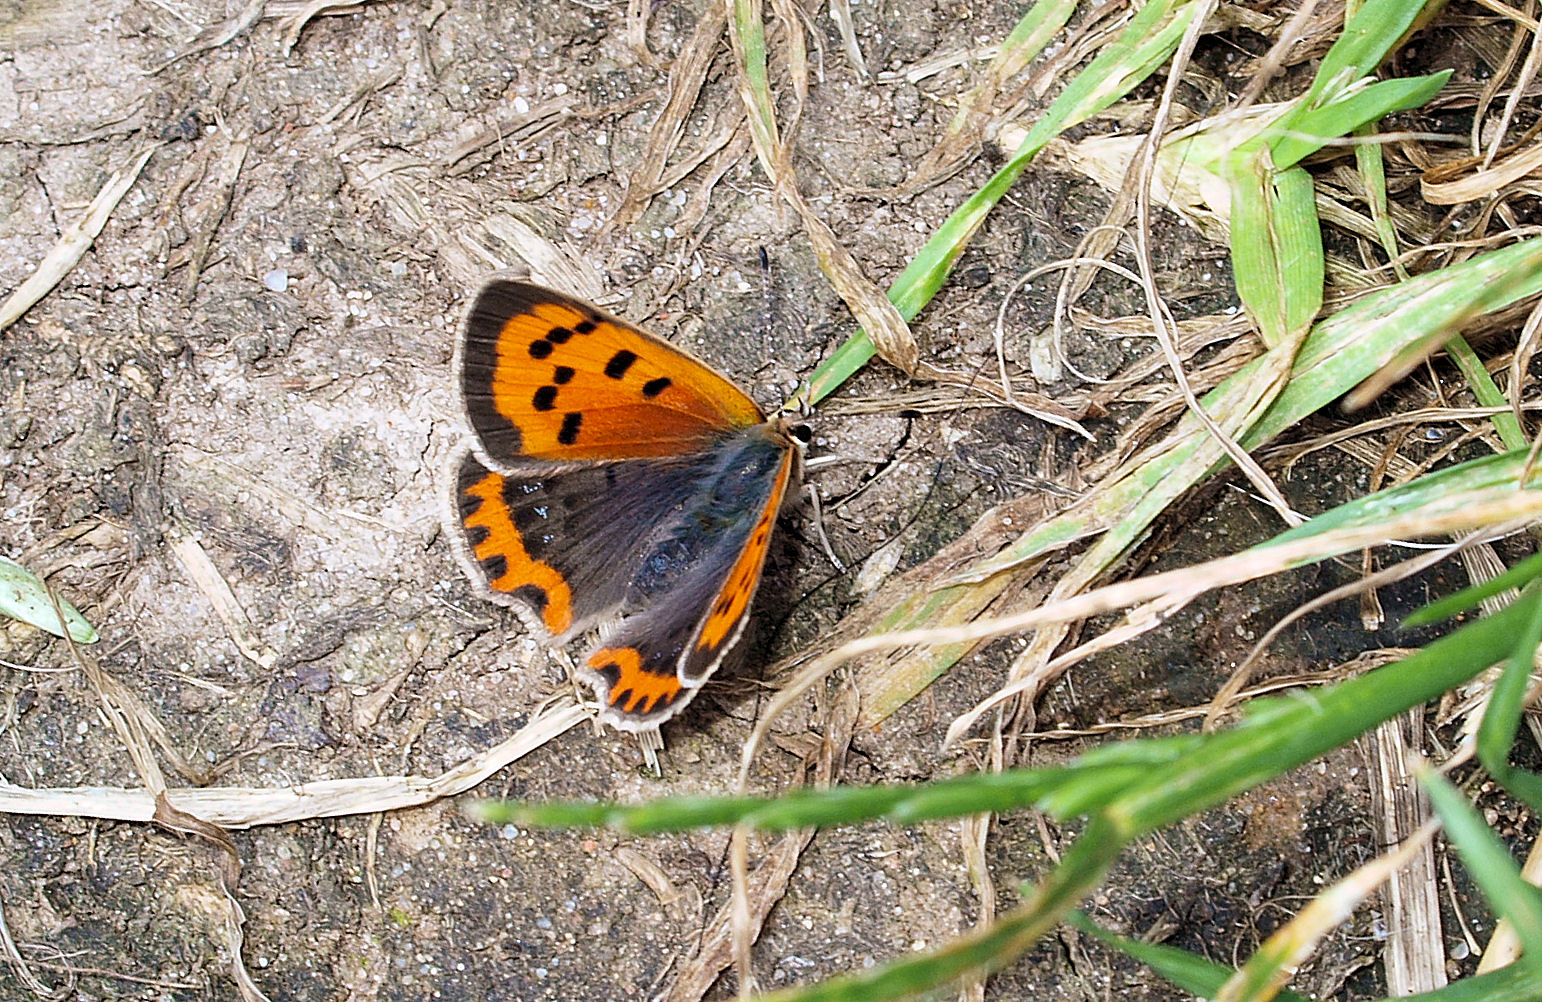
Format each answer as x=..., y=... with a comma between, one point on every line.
x=499, y=546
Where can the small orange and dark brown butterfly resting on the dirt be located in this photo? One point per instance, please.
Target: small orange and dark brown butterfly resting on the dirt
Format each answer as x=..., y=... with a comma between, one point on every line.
x=616, y=483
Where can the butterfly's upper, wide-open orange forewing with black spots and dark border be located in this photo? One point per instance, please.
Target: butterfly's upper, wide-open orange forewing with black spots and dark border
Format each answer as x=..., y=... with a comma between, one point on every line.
x=554, y=380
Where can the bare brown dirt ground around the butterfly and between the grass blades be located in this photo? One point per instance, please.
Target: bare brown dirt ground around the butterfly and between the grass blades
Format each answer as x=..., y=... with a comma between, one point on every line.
x=254, y=365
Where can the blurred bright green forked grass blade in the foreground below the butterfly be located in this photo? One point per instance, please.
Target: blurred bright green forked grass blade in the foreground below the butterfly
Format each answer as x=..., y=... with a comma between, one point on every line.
x=1131, y=790
